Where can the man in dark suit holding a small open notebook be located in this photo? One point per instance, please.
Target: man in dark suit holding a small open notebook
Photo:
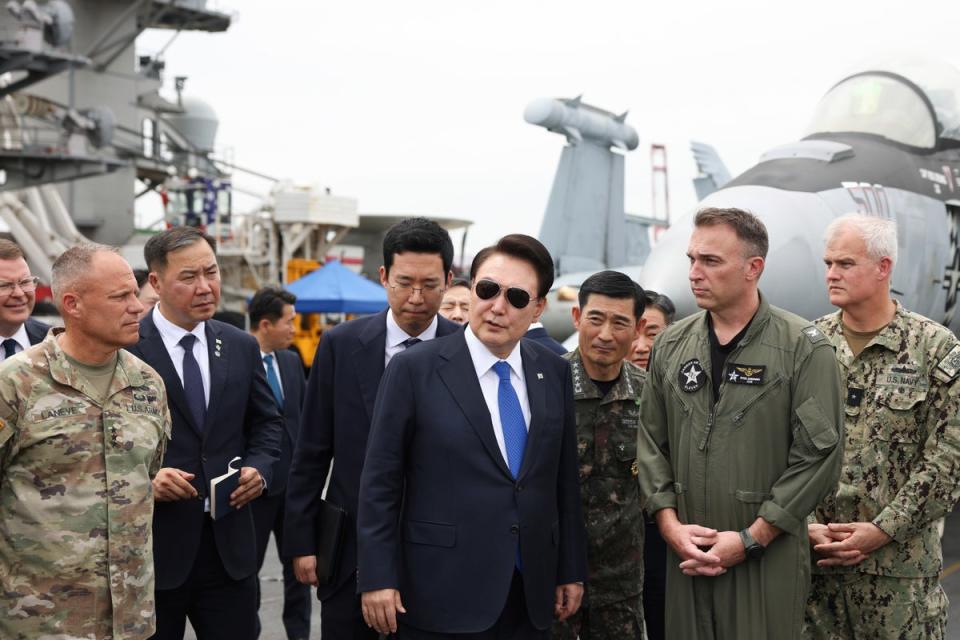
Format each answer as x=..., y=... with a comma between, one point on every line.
x=221, y=407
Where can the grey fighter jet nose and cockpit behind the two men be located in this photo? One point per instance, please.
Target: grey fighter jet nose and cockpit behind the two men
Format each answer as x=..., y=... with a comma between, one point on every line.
x=885, y=142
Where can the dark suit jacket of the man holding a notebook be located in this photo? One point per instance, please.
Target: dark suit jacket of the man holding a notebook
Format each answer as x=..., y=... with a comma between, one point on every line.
x=242, y=420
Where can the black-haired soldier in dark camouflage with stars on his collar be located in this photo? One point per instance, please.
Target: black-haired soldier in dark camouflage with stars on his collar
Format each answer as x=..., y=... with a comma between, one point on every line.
x=606, y=390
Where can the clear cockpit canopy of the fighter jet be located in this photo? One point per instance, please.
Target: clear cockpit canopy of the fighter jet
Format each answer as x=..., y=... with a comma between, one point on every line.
x=885, y=105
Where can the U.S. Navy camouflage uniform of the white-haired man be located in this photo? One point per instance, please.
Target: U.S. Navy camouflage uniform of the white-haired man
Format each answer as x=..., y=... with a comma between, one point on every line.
x=900, y=472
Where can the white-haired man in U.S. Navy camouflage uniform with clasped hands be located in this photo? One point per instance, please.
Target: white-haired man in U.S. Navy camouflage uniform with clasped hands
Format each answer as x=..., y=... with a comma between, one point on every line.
x=877, y=537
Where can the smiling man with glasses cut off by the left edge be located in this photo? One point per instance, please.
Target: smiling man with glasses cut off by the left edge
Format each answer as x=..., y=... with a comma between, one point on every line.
x=18, y=294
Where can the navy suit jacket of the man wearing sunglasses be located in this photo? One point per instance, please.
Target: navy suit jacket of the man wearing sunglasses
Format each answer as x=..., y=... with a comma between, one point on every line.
x=441, y=516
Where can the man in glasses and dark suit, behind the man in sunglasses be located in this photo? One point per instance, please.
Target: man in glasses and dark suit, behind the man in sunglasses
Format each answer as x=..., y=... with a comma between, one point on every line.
x=417, y=257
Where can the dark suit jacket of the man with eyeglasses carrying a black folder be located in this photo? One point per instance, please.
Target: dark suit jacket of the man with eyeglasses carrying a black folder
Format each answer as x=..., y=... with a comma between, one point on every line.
x=336, y=416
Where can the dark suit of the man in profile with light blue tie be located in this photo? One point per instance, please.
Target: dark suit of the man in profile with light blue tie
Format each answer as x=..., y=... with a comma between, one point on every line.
x=268, y=509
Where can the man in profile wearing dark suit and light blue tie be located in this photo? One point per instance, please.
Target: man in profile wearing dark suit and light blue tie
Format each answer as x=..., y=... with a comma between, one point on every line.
x=271, y=323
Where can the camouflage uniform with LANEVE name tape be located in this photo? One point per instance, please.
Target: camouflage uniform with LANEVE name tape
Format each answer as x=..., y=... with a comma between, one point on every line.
x=76, y=503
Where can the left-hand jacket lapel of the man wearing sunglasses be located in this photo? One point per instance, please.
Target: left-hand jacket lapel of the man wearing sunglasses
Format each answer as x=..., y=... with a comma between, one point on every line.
x=460, y=377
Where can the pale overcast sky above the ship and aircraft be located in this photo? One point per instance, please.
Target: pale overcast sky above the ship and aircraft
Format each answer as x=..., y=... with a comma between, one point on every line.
x=416, y=107
